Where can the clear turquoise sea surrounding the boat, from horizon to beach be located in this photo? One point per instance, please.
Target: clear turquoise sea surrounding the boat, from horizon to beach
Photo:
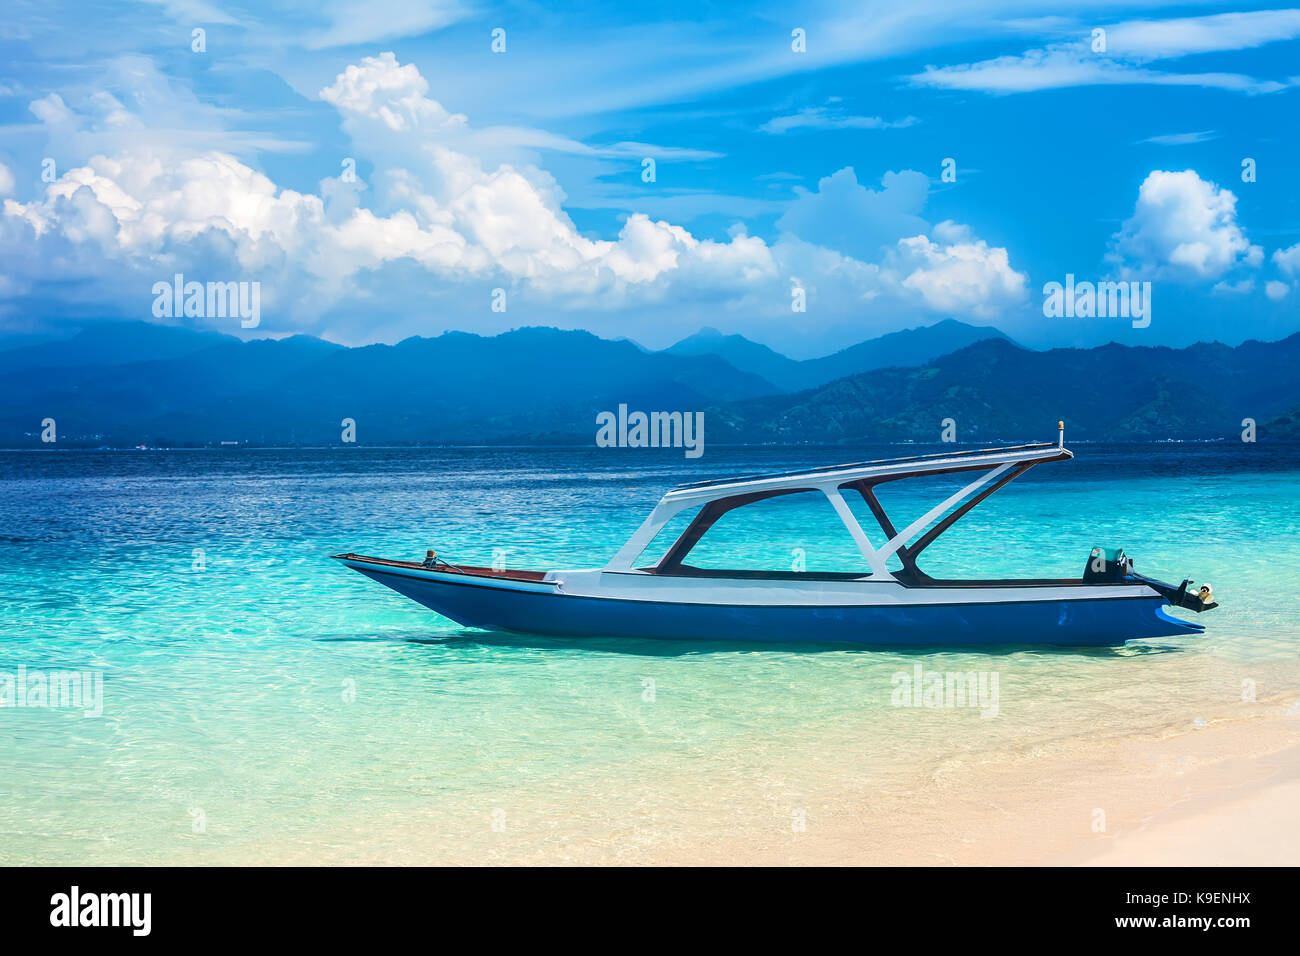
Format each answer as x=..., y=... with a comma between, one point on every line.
x=263, y=704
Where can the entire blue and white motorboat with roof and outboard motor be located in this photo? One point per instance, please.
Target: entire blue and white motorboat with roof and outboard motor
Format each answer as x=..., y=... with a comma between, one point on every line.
x=889, y=602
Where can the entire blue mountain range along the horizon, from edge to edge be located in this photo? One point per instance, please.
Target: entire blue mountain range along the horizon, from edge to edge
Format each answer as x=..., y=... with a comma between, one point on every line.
x=116, y=384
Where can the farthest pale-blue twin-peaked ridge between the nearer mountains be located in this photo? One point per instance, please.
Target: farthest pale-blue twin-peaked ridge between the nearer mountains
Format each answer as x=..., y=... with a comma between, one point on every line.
x=903, y=349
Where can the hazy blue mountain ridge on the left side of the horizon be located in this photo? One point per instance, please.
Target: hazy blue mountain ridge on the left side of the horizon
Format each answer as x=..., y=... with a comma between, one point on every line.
x=454, y=388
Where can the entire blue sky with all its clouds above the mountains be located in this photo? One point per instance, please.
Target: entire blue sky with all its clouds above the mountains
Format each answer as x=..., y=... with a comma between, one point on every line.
x=774, y=170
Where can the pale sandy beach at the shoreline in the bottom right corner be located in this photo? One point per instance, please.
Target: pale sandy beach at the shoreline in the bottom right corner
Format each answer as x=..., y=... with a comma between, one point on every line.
x=1224, y=794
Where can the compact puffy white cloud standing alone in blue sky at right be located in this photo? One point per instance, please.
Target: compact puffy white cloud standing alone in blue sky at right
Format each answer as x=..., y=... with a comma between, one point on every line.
x=1184, y=228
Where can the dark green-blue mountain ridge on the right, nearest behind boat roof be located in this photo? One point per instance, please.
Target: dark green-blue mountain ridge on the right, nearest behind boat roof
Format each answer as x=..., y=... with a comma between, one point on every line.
x=996, y=391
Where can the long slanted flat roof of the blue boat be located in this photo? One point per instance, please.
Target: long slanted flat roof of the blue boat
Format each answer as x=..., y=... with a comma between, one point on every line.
x=937, y=464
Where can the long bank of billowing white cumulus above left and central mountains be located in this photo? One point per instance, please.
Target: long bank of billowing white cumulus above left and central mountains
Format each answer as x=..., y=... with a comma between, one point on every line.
x=443, y=218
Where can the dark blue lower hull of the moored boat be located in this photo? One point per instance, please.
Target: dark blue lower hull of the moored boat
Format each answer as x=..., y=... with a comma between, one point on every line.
x=1052, y=622
